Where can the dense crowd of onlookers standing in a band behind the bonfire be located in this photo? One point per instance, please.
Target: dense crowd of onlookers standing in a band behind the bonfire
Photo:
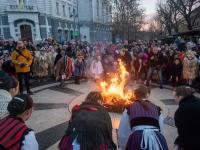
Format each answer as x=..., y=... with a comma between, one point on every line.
x=176, y=63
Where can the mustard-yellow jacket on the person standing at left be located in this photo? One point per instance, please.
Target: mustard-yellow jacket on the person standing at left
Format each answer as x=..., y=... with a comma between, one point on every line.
x=16, y=60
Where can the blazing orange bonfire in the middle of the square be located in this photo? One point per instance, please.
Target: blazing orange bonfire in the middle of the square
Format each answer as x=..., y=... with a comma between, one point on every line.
x=116, y=96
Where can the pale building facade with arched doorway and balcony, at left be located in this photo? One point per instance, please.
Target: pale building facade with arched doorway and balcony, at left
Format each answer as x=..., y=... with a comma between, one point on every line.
x=38, y=19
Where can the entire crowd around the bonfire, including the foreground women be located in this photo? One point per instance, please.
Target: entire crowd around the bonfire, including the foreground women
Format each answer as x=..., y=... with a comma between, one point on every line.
x=90, y=126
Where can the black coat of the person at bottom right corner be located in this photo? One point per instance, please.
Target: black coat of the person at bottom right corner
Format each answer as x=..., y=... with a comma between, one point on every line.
x=187, y=121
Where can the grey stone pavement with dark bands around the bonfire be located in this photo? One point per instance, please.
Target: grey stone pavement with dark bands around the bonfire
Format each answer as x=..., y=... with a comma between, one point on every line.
x=53, y=106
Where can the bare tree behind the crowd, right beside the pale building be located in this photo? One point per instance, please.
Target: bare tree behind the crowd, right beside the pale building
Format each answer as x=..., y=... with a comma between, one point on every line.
x=127, y=18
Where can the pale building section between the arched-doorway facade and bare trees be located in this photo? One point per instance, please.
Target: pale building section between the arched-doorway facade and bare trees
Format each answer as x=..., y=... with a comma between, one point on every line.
x=95, y=17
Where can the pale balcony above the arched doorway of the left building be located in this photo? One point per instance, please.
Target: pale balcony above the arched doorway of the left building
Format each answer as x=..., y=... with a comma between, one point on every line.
x=17, y=8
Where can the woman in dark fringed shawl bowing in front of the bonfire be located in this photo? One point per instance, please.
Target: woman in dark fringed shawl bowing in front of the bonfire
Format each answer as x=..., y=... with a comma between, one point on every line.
x=90, y=126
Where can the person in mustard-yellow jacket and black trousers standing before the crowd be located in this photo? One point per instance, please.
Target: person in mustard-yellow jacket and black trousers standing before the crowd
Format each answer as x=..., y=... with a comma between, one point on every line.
x=22, y=60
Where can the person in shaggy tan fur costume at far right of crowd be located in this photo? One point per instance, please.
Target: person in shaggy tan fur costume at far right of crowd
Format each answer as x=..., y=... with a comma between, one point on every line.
x=190, y=67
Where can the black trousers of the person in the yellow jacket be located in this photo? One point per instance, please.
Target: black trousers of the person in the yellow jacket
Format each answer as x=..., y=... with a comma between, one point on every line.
x=25, y=77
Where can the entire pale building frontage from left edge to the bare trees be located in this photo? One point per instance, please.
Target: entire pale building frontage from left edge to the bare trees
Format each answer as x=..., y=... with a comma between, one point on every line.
x=63, y=20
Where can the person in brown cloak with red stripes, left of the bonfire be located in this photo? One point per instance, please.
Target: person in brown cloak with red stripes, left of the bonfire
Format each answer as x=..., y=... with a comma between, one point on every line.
x=64, y=70
